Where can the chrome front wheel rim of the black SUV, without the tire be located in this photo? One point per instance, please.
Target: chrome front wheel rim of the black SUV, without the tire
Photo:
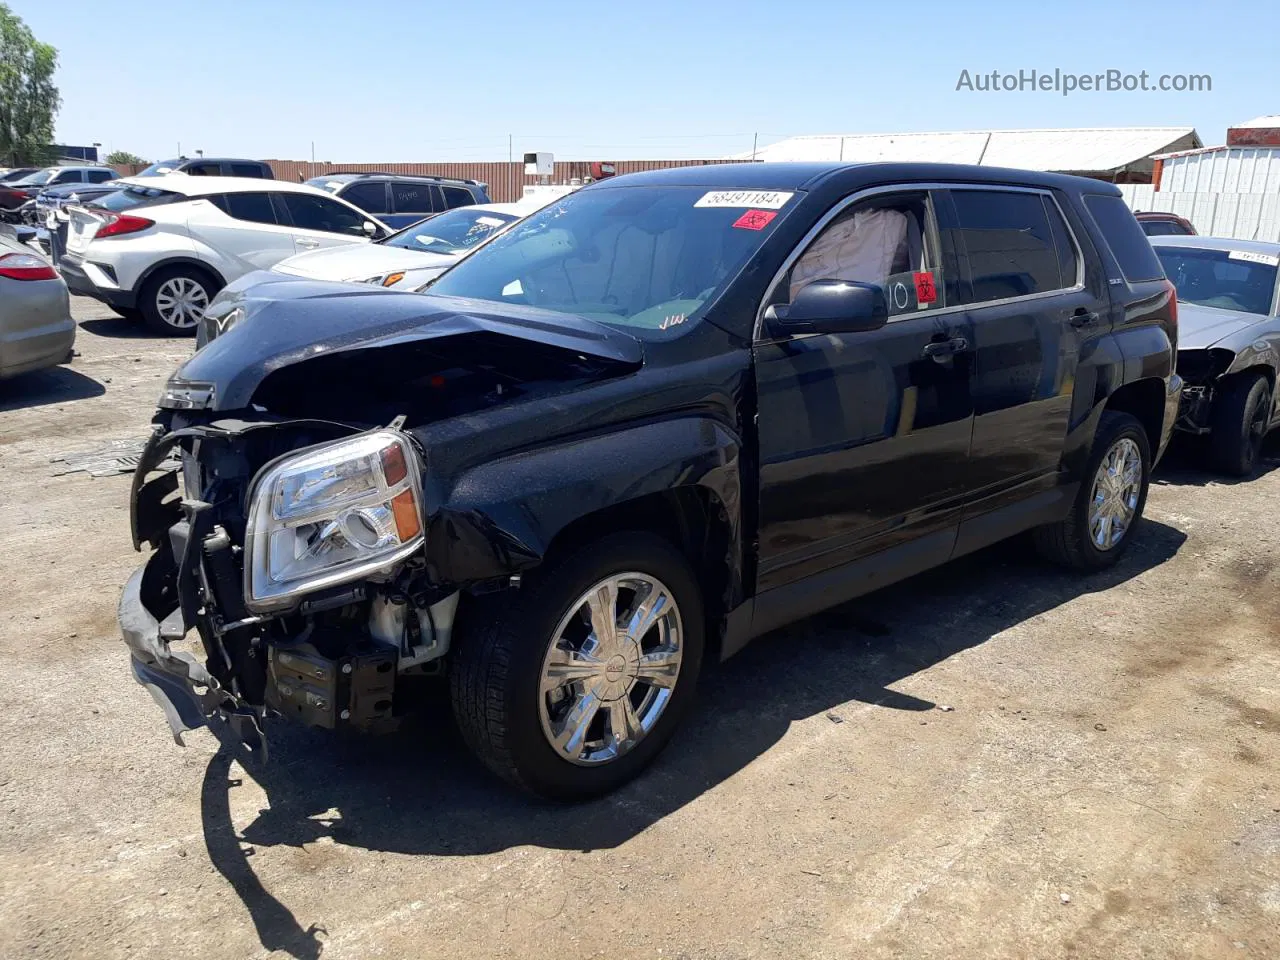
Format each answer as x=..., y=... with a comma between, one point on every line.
x=611, y=669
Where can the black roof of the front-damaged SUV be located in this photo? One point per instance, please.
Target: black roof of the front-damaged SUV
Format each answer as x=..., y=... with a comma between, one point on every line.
x=807, y=176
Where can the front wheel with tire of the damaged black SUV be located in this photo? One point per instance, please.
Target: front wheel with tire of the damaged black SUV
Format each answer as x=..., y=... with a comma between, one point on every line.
x=573, y=684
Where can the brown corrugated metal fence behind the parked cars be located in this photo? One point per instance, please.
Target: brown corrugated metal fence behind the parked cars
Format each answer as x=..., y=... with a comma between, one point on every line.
x=506, y=180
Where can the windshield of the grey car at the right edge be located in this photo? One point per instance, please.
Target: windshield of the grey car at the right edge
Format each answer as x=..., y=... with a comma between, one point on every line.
x=1229, y=280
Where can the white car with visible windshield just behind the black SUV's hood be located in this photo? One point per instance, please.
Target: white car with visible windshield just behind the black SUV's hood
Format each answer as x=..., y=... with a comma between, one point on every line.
x=414, y=257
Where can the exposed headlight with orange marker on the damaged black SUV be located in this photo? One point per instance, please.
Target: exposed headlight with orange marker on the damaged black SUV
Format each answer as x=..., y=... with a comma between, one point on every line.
x=336, y=514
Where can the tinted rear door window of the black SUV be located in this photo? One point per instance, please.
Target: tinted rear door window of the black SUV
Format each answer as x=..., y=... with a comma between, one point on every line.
x=1008, y=245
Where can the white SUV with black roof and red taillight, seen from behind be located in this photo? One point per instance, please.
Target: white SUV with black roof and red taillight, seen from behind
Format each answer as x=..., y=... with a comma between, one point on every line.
x=162, y=250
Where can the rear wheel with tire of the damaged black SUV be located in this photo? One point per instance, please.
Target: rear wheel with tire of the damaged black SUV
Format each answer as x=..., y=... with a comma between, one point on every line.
x=1075, y=542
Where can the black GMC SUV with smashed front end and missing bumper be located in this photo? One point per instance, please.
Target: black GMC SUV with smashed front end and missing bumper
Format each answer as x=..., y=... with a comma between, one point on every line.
x=662, y=417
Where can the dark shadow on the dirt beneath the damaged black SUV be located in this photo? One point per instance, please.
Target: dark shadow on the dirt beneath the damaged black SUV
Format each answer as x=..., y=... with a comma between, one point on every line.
x=419, y=793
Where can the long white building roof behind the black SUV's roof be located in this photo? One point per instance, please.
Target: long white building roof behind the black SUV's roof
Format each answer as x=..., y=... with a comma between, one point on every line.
x=1096, y=152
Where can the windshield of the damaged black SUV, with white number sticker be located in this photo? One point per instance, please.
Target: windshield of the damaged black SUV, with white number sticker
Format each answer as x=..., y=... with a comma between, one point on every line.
x=641, y=258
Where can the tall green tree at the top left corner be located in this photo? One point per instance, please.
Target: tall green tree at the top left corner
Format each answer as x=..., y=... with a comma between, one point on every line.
x=29, y=99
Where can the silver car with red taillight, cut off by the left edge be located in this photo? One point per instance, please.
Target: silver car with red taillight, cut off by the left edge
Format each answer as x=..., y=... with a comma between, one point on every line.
x=36, y=327
